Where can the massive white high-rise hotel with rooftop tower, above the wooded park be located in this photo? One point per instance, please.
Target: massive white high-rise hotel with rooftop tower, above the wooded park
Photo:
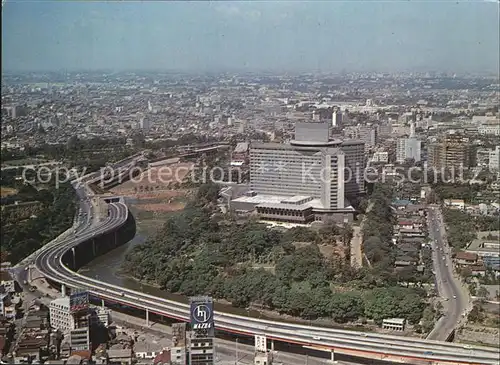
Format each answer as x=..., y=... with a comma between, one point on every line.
x=303, y=180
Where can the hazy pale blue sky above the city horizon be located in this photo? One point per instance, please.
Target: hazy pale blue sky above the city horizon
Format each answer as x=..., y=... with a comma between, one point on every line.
x=327, y=36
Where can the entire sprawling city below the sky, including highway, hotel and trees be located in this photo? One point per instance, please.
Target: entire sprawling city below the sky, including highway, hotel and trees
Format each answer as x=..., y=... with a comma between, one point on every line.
x=175, y=217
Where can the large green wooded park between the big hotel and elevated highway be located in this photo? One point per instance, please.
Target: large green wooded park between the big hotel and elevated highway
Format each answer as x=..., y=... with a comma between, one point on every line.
x=201, y=252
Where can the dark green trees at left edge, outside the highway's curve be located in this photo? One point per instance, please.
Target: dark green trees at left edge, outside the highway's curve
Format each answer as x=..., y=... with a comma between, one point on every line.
x=33, y=217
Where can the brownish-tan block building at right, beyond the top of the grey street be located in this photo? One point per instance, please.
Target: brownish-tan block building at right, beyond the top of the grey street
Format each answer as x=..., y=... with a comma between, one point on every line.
x=451, y=151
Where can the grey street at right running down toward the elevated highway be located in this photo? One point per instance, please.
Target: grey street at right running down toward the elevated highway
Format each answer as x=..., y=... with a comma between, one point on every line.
x=454, y=299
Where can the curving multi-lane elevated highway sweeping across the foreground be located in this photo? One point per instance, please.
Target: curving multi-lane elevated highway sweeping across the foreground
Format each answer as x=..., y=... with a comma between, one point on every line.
x=55, y=263
